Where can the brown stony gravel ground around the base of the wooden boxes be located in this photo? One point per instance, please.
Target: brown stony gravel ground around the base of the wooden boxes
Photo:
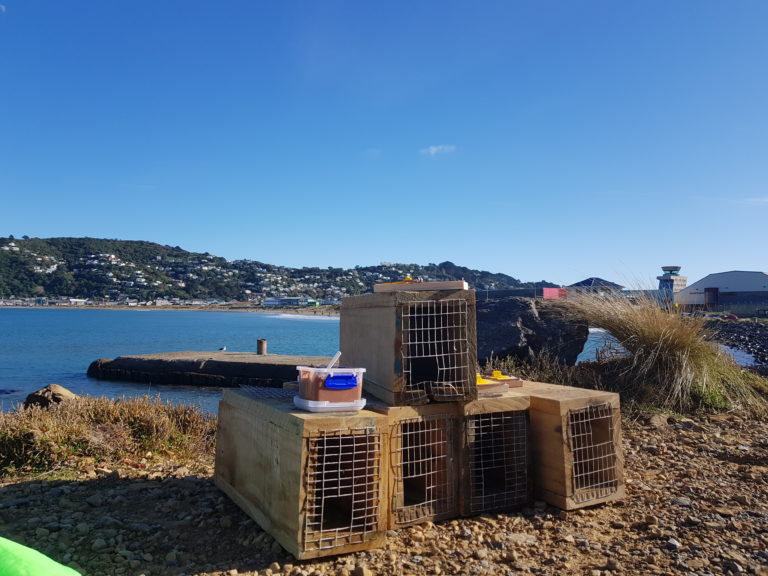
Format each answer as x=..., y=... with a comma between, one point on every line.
x=697, y=503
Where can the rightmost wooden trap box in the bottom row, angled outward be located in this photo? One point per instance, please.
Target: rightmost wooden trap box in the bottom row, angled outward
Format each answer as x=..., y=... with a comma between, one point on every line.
x=576, y=444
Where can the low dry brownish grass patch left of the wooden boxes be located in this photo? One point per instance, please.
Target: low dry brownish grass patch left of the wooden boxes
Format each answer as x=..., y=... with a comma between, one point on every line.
x=109, y=431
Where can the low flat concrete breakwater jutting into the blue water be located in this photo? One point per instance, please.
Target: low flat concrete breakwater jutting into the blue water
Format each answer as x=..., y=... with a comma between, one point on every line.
x=217, y=369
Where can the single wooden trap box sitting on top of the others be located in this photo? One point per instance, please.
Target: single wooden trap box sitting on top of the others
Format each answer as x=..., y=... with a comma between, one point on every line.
x=416, y=346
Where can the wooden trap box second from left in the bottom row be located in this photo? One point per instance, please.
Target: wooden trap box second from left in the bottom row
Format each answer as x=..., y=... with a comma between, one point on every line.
x=424, y=456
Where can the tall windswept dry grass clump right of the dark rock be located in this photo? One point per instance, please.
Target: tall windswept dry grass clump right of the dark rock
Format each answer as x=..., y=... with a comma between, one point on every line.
x=670, y=361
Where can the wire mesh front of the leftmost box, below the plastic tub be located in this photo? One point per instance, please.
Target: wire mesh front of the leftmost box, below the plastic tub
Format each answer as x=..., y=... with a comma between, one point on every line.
x=342, y=488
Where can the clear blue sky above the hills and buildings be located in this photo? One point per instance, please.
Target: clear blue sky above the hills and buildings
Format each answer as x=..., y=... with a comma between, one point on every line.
x=548, y=140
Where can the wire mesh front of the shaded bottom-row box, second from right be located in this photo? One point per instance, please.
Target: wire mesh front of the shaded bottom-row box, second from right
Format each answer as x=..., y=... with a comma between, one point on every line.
x=498, y=460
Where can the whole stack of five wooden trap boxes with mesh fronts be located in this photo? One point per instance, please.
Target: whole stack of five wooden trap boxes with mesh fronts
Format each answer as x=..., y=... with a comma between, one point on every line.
x=426, y=448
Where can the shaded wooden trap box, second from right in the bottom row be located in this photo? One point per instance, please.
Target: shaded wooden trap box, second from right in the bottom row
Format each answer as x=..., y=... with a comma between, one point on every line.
x=496, y=459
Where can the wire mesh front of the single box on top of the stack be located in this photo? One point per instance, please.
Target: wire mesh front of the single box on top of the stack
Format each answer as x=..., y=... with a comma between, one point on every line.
x=435, y=349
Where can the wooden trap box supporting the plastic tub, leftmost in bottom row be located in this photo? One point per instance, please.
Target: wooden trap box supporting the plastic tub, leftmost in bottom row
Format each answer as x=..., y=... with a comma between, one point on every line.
x=315, y=482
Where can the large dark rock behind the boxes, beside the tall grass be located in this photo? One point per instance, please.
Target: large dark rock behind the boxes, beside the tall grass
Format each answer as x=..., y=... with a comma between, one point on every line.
x=524, y=327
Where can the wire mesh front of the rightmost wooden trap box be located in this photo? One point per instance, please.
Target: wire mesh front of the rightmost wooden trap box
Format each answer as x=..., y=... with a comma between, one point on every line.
x=590, y=433
